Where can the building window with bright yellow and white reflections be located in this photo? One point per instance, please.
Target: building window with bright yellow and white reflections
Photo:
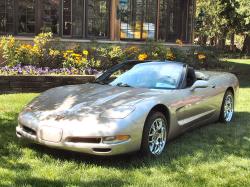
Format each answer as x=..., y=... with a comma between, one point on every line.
x=138, y=19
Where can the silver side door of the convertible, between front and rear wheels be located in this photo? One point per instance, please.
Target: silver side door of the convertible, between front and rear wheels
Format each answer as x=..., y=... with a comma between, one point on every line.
x=196, y=105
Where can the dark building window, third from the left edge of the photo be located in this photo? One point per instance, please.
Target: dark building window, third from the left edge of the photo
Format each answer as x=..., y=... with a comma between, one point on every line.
x=50, y=16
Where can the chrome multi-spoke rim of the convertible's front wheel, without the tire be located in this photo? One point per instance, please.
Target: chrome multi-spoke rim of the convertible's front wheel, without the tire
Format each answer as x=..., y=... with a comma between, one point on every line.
x=157, y=136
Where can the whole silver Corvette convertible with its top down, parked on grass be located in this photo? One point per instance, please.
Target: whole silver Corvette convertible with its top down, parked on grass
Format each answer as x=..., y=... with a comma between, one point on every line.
x=134, y=106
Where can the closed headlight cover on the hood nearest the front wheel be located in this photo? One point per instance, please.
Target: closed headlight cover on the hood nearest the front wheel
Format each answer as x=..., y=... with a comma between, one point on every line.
x=118, y=113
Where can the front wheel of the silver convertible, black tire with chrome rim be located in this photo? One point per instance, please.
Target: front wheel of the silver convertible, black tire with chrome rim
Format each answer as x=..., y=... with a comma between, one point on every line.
x=154, y=135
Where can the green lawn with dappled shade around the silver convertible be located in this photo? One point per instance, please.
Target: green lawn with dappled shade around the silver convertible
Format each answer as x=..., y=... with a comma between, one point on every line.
x=214, y=155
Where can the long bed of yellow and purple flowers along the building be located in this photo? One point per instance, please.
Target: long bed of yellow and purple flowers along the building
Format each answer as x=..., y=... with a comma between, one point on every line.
x=53, y=57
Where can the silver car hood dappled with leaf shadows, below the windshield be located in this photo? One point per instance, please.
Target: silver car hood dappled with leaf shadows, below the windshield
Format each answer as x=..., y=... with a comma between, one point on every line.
x=86, y=99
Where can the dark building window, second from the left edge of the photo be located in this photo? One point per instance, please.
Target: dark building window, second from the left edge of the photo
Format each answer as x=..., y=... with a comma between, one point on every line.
x=26, y=16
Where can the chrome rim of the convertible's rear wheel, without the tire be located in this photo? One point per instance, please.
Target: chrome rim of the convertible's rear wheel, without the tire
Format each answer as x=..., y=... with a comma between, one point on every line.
x=228, y=108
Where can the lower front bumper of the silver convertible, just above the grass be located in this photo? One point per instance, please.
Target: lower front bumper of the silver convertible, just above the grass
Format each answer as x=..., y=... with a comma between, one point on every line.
x=88, y=148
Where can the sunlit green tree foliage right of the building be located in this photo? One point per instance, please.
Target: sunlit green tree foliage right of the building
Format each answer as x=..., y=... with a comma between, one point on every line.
x=216, y=19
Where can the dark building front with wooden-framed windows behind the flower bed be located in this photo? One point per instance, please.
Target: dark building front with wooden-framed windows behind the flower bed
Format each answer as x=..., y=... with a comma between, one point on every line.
x=131, y=20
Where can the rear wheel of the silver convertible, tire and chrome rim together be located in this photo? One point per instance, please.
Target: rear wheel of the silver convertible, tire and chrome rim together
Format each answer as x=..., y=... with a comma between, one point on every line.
x=227, y=108
